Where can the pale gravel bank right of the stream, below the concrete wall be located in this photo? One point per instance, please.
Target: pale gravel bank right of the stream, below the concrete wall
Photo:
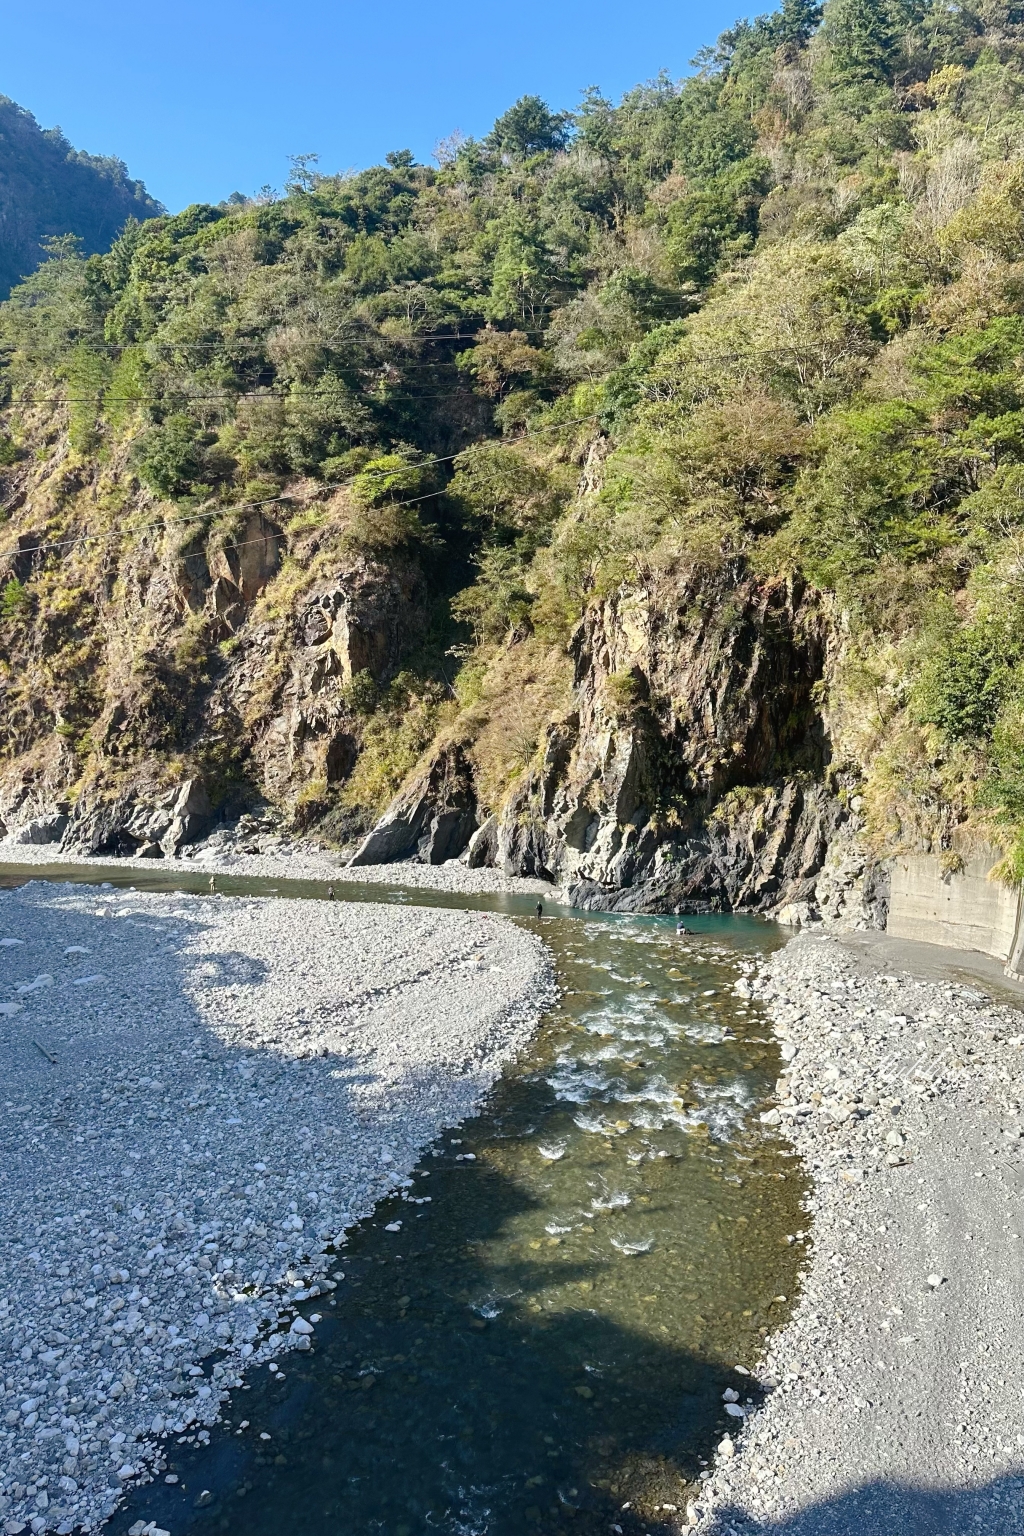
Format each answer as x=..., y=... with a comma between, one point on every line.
x=896, y=1395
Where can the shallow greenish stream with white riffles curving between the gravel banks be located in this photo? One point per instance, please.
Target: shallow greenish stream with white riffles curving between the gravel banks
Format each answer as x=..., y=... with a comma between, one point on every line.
x=544, y=1342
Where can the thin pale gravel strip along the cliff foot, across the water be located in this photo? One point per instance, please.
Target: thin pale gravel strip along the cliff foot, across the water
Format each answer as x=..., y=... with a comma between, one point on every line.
x=296, y=862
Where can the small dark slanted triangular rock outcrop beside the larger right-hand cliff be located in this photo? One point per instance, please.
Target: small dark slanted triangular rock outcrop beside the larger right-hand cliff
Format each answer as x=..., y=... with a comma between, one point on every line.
x=432, y=819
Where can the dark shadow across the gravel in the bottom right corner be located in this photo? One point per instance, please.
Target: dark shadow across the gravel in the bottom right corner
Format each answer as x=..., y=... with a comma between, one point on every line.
x=891, y=1509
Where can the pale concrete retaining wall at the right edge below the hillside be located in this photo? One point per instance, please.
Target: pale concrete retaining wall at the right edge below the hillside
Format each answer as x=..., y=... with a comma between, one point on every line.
x=963, y=910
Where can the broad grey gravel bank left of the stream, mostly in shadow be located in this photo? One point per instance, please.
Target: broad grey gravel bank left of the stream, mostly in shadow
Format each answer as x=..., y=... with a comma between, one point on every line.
x=199, y=1096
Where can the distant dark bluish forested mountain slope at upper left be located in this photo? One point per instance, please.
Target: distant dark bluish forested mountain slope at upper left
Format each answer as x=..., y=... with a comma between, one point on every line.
x=50, y=190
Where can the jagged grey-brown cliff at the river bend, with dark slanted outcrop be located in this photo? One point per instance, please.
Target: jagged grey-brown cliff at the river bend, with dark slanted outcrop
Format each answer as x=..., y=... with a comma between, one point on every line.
x=693, y=772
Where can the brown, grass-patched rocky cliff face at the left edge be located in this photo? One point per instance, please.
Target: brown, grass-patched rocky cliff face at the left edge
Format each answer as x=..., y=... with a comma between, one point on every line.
x=156, y=684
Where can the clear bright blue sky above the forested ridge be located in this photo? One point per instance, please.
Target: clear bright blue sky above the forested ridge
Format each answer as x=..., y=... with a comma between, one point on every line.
x=206, y=98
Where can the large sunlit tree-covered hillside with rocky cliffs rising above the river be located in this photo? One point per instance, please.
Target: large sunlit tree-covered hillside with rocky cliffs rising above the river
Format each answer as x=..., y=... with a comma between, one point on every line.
x=652, y=475
